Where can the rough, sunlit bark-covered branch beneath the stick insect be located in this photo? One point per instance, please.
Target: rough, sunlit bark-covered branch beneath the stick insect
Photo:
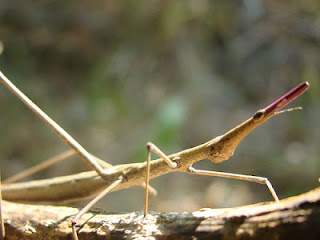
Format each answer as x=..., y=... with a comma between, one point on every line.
x=292, y=218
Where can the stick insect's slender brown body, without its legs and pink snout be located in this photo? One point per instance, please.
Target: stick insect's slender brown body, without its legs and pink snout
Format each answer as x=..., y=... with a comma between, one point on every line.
x=88, y=184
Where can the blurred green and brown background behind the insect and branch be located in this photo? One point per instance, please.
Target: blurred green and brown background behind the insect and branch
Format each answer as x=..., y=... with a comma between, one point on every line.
x=116, y=74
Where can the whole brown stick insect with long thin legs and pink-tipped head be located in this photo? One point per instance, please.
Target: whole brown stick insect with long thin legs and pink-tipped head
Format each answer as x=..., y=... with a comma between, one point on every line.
x=106, y=178
